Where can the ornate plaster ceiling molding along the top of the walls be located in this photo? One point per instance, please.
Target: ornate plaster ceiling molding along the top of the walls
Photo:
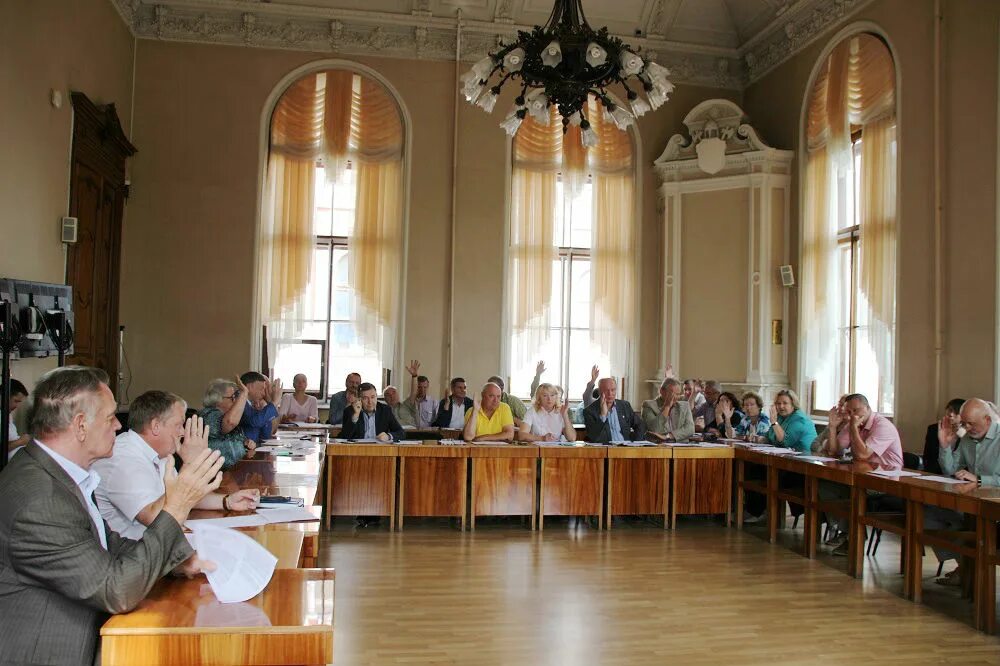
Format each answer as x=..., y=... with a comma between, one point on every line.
x=421, y=35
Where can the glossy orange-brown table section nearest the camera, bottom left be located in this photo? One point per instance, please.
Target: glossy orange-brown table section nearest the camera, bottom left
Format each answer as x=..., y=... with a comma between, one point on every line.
x=181, y=622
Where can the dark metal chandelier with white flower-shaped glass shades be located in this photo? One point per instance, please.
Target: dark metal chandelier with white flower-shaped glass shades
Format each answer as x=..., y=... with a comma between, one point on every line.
x=561, y=65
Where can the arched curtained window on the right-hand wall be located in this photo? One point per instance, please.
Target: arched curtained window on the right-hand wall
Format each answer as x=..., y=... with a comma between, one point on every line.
x=849, y=230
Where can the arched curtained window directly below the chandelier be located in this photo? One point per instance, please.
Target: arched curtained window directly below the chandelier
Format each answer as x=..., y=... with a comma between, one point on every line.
x=571, y=254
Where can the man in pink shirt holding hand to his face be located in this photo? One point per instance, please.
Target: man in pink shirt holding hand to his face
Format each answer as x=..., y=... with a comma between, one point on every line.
x=871, y=437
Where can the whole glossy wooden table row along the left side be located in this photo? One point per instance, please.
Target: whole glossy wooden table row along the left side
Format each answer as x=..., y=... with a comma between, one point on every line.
x=289, y=622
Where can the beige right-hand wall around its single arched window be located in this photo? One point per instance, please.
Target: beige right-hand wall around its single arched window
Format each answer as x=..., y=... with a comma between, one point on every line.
x=970, y=154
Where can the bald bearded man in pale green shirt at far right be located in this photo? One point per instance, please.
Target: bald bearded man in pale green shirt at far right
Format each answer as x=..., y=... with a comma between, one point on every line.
x=973, y=458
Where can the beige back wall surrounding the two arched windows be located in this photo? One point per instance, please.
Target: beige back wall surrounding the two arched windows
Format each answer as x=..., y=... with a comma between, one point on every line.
x=189, y=242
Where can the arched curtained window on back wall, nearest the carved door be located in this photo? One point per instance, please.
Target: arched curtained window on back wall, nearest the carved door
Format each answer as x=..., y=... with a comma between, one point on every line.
x=331, y=229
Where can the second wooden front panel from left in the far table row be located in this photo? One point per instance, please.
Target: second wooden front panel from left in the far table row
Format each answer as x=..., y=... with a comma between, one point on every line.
x=432, y=481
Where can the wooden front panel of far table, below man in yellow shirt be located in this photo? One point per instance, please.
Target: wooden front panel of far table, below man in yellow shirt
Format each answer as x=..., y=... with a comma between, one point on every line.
x=504, y=481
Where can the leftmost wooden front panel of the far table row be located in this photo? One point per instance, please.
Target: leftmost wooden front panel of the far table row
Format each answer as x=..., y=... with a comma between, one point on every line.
x=361, y=480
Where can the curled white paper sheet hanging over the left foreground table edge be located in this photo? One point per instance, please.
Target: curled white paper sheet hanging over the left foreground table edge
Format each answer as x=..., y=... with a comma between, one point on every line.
x=243, y=566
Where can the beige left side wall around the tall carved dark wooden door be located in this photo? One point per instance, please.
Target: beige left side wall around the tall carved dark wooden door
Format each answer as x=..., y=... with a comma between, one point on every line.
x=44, y=46
